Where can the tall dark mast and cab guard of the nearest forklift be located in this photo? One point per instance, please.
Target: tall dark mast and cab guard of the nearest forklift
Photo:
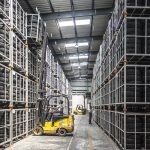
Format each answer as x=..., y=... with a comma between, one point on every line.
x=44, y=103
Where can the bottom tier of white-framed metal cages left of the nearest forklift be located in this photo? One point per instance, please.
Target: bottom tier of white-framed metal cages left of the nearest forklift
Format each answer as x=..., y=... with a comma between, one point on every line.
x=14, y=123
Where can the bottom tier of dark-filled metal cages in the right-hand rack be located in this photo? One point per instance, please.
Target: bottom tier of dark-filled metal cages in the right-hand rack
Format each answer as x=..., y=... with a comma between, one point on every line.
x=128, y=130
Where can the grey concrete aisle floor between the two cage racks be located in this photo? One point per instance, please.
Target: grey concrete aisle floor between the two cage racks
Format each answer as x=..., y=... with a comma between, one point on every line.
x=85, y=137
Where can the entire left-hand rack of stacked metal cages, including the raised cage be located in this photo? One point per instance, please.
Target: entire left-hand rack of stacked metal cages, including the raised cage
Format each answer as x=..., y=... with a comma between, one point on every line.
x=21, y=38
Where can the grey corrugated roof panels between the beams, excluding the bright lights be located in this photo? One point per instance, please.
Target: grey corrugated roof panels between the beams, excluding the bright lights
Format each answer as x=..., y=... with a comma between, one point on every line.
x=98, y=28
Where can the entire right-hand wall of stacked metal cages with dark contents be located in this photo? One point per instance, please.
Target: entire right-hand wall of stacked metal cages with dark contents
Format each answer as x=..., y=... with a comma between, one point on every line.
x=121, y=83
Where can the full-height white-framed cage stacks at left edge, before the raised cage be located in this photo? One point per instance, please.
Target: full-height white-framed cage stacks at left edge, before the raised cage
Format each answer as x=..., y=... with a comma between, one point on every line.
x=13, y=73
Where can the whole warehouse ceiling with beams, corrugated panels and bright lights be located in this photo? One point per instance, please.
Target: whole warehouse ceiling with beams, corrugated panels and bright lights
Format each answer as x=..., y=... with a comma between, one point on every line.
x=76, y=29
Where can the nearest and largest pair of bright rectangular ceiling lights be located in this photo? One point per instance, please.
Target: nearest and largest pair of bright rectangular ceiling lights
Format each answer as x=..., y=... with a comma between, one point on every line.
x=77, y=22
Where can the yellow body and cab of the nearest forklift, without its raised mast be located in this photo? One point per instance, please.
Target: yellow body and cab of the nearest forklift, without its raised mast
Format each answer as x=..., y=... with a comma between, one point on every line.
x=52, y=120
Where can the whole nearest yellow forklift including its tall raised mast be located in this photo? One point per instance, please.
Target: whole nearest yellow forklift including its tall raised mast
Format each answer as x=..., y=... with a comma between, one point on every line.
x=50, y=116
